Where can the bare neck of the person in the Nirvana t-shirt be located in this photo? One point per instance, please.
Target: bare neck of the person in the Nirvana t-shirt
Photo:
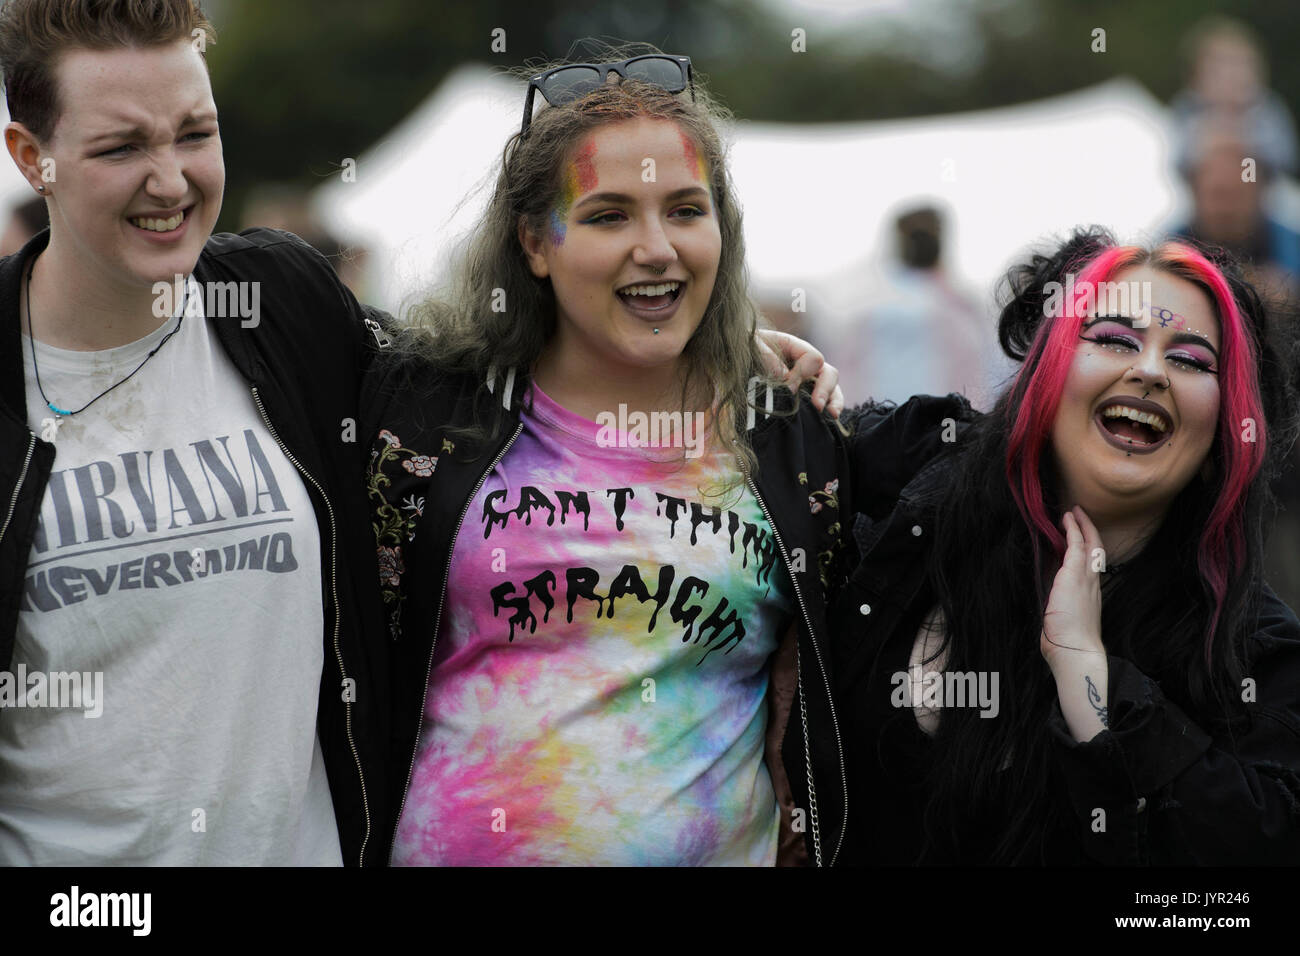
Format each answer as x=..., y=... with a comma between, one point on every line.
x=76, y=308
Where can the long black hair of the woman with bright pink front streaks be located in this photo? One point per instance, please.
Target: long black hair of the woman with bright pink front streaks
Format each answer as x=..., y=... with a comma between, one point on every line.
x=1159, y=609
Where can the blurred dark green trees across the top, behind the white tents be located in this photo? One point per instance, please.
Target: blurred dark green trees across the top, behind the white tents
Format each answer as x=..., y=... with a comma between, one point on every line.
x=304, y=84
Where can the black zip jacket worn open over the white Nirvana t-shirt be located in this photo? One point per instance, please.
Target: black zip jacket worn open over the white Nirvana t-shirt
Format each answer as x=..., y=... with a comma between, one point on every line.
x=304, y=362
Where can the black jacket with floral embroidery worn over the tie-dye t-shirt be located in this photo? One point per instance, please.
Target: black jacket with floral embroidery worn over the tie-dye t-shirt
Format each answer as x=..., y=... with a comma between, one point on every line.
x=798, y=455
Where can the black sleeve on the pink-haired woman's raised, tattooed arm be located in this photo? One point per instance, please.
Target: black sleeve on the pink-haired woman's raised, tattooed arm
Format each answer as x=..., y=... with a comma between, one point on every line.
x=1162, y=789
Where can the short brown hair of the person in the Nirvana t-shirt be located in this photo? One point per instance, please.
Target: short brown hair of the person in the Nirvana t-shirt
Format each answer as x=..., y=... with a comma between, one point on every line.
x=33, y=34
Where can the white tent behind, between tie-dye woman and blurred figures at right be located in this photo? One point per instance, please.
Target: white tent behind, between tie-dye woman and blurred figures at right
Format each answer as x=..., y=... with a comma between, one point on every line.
x=821, y=201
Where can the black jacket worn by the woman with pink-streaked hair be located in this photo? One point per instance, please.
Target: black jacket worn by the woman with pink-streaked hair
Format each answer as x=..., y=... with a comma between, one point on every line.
x=1176, y=788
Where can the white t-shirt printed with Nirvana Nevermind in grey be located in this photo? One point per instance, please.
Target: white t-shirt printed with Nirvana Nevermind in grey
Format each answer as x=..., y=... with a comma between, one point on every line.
x=177, y=570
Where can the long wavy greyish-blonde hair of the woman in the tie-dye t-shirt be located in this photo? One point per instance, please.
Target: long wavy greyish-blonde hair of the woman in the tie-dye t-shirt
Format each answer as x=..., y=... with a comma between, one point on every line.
x=456, y=328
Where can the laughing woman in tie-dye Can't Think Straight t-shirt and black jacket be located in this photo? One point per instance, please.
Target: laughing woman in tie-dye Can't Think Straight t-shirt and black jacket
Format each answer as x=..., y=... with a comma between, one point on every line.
x=604, y=527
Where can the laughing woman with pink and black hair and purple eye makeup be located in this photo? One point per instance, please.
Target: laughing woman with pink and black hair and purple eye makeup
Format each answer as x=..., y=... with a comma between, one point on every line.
x=1058, y=646
